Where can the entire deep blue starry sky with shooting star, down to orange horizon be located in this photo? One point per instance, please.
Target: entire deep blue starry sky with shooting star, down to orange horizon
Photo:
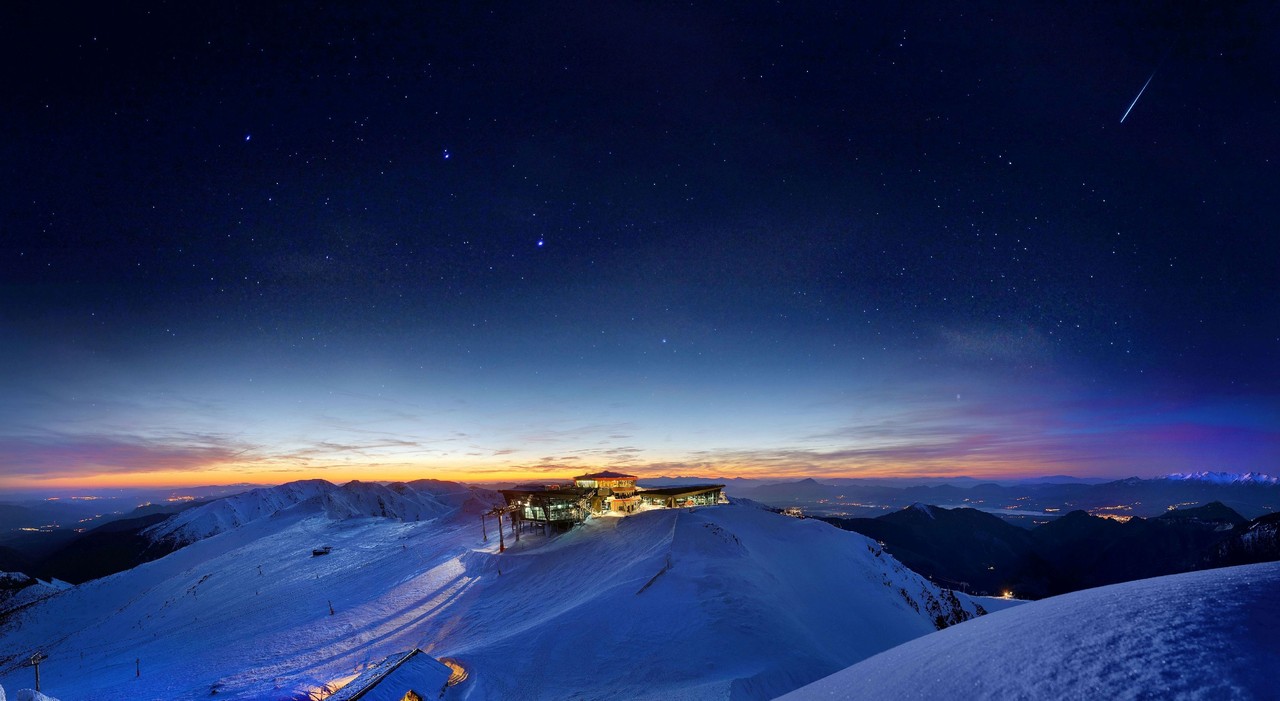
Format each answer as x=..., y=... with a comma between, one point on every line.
x=245, y=242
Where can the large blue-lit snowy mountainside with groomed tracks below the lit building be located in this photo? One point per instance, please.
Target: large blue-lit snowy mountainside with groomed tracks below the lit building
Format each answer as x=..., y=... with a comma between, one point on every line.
x=715, y=603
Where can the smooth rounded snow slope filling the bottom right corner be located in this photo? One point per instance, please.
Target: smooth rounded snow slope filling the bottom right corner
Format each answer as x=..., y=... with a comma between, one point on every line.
x=1199, y=636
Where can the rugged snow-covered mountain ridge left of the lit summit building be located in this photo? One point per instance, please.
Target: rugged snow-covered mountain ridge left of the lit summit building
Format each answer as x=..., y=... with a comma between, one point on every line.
x=422, y=501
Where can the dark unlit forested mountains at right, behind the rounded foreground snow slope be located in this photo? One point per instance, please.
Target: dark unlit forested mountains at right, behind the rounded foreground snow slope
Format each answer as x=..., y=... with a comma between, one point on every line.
x=977, y=552
